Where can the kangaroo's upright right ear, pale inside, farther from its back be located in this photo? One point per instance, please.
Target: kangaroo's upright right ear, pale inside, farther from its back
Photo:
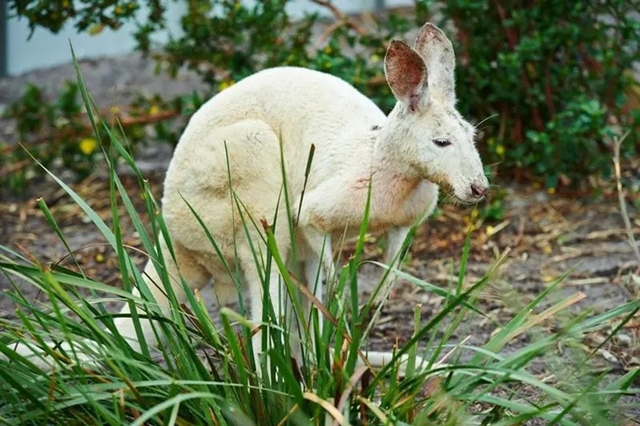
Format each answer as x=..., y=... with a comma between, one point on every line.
x=436, y=49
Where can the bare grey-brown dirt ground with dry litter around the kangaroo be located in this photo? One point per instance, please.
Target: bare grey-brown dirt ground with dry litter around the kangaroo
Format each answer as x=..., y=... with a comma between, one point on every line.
x=540, y=237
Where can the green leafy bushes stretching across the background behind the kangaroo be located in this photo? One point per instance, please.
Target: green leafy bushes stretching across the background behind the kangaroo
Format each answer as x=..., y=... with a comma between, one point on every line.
x=549, y=81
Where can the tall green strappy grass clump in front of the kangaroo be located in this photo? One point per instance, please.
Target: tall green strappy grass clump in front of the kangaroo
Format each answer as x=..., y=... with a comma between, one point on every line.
x=204, y=374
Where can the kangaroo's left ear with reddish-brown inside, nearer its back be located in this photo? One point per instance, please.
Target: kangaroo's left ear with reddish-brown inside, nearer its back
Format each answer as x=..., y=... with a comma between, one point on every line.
x=406, y=74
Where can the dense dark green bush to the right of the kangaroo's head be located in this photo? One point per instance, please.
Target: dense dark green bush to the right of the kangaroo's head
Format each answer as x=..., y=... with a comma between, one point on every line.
x=555, y=76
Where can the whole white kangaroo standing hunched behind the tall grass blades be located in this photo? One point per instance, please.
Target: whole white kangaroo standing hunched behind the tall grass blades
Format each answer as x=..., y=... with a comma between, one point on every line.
x=241, y=137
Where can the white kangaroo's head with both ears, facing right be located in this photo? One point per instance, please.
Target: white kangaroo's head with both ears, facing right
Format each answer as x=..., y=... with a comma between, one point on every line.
x=425, y=131
